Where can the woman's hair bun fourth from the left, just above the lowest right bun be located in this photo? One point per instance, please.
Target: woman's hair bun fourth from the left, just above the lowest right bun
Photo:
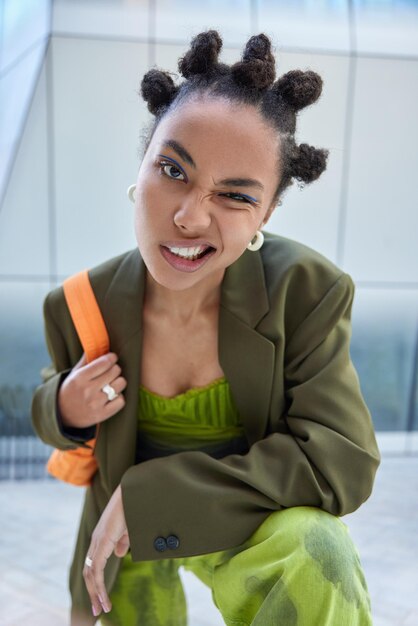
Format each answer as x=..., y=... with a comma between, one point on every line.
x=298, y=88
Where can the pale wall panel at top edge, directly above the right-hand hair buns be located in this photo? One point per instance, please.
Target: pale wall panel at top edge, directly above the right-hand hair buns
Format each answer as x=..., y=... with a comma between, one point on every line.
x=306, y=25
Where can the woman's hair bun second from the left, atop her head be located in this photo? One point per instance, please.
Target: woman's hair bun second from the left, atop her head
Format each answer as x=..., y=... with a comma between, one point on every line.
x=203, y=54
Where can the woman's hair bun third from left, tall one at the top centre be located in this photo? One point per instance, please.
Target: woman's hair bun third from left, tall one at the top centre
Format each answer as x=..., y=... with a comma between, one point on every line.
x=257, y=68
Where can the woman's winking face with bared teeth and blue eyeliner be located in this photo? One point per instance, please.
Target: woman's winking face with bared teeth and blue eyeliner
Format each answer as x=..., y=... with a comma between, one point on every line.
x=204, y=187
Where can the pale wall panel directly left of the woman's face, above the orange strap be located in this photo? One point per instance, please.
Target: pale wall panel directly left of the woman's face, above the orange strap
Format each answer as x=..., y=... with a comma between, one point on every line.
x=97, y=119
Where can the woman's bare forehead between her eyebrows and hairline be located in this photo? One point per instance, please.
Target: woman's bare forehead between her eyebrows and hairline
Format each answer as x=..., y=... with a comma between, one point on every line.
x=218, y=133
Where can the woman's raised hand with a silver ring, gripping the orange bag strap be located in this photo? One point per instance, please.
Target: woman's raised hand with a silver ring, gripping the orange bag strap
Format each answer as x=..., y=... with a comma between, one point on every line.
x=81, y=399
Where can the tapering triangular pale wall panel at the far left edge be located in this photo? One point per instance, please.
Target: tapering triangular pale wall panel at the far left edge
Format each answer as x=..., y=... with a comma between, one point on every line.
x=24, y=243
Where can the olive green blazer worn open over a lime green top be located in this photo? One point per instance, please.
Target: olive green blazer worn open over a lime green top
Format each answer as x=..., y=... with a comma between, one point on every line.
x=284, y=335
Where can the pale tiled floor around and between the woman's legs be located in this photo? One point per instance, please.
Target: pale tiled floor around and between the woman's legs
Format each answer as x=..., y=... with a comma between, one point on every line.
x=39, y=519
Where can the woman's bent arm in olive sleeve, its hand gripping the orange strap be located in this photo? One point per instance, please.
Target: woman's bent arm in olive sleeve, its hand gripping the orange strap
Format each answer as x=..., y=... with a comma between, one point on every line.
x=76, y=393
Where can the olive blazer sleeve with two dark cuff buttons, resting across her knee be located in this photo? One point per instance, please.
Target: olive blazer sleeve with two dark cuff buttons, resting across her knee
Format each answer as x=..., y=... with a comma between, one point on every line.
x=325, y=456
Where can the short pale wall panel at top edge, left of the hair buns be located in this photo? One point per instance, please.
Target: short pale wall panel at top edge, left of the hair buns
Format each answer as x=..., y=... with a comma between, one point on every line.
x=122, y=18
